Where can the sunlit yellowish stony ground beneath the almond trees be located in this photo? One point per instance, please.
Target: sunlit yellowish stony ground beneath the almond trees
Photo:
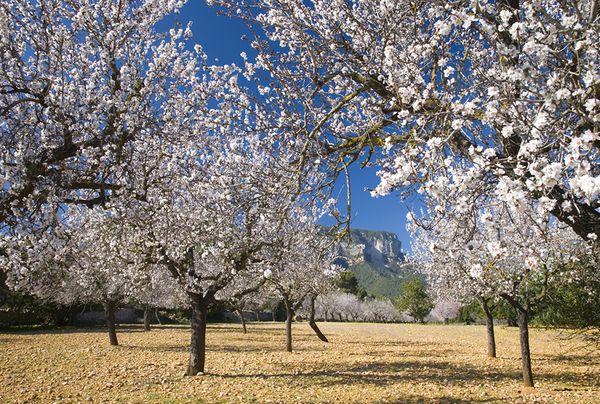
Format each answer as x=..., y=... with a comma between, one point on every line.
x=363, y=363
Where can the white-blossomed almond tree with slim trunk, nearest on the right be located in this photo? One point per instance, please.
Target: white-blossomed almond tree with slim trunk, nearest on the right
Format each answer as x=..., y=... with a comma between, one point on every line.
x=499, y=252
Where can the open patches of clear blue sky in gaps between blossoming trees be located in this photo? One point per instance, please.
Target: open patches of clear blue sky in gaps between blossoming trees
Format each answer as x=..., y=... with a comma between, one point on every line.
x=222, y=40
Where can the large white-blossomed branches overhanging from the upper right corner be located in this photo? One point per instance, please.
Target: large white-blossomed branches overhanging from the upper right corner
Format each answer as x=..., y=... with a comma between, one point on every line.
x=509, y=86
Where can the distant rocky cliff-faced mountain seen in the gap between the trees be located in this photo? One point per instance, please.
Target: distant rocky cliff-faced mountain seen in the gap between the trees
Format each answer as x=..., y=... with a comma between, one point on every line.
x=376, y=258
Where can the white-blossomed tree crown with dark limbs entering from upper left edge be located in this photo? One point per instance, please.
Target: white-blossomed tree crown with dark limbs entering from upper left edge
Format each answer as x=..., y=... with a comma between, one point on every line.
x=82, y=84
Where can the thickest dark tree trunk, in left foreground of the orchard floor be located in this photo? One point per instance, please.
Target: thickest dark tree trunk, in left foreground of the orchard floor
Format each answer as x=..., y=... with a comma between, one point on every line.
x=198, y=341
